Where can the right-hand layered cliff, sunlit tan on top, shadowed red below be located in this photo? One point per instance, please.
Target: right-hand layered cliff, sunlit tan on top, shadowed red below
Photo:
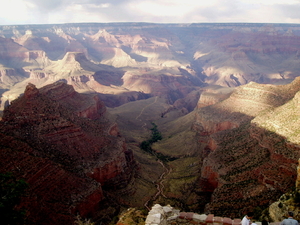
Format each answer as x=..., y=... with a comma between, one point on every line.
x=242, y=148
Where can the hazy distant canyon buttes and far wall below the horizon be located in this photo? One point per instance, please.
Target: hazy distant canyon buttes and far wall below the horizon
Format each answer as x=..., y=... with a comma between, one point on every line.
x=169, y=60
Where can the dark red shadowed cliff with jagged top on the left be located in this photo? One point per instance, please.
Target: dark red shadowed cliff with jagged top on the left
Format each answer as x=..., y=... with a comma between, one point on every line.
x=63, y=145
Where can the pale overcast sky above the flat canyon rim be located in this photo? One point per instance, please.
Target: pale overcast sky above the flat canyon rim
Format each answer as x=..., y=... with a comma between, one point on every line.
x=158, y=11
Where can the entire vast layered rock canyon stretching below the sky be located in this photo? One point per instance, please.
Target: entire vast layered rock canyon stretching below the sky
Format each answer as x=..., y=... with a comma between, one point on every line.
x=79, y=99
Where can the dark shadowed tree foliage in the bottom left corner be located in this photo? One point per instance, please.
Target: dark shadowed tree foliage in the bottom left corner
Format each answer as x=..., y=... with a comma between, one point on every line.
x=11, y=191
